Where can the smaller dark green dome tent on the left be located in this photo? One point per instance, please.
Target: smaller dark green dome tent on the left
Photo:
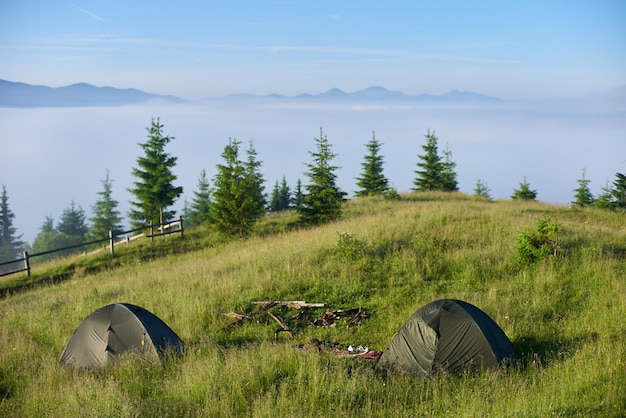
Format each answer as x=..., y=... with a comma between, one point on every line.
x=116, y=329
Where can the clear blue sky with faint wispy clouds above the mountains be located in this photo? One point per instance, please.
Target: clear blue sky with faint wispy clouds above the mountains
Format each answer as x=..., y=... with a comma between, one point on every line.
x=509, y=49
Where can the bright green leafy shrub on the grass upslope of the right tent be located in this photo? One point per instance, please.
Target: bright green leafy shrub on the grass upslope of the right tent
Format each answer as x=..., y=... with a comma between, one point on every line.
x=540, y=242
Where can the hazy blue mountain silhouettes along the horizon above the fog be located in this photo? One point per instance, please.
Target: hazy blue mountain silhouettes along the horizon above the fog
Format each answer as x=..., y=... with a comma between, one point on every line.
x=15, y=94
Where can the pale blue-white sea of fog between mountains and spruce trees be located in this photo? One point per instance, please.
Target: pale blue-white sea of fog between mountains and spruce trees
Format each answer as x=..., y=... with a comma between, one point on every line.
x=51, y=157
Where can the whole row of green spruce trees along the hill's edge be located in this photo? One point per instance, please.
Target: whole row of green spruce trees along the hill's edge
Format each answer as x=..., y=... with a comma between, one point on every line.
x=235, y=199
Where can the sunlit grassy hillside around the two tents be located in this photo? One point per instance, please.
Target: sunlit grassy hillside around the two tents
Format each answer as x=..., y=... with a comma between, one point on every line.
x=565, y=315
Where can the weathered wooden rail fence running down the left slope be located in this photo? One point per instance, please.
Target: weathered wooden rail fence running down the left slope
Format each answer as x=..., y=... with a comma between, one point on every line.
x=153, y=230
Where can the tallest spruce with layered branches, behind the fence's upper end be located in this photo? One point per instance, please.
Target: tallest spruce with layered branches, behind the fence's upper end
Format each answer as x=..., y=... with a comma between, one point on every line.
x=154, y=188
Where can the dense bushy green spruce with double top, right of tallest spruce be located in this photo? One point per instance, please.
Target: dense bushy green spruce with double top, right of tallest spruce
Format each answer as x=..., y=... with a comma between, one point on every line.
x=238, y=197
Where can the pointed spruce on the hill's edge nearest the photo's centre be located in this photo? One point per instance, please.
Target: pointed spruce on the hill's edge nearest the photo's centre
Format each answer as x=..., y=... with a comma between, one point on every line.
x=323, y=199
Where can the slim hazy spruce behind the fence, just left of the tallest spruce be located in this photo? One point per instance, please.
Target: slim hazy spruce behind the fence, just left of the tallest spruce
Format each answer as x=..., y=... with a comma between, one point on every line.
x=105, y=216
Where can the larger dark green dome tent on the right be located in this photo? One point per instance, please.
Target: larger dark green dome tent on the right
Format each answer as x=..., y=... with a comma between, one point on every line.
x=447, y=335
